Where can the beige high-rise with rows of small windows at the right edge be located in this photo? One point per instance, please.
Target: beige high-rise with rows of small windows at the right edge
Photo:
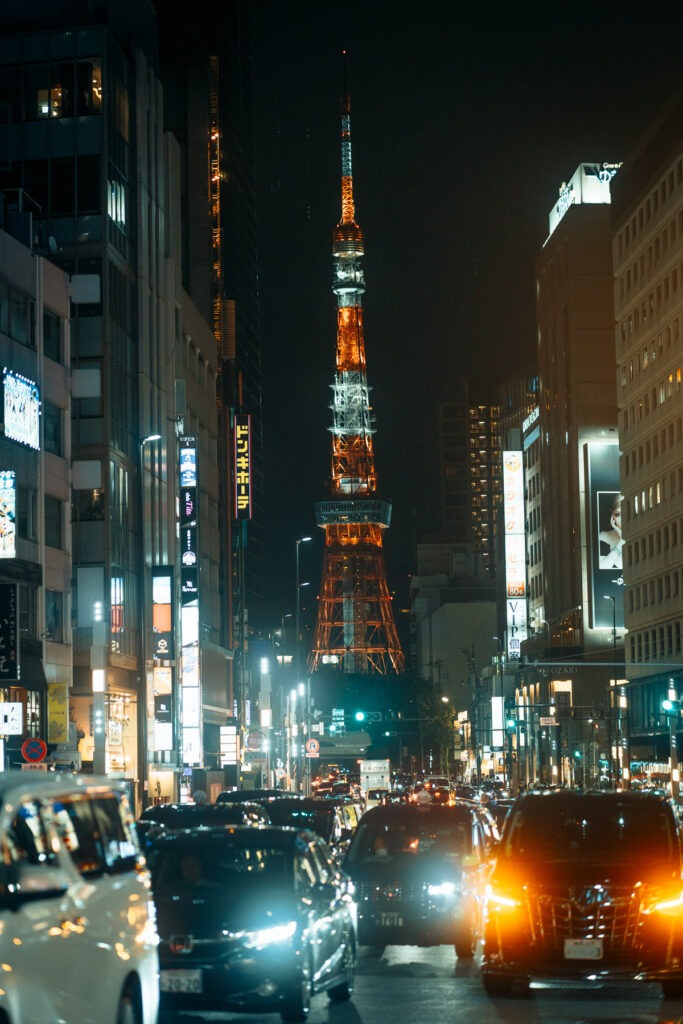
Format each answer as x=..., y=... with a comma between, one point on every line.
x=649, y=289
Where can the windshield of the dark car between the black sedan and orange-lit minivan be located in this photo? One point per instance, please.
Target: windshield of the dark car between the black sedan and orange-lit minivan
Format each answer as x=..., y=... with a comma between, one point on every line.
x=374, y=842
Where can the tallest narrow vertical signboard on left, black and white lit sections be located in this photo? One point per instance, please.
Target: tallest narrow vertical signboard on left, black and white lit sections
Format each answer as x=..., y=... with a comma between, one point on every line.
x=191, y=701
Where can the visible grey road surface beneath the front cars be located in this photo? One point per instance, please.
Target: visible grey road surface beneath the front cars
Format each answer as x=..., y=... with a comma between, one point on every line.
x=412, y=986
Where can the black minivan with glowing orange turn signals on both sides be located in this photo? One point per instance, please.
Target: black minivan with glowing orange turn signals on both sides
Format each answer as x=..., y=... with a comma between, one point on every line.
x=586, y=886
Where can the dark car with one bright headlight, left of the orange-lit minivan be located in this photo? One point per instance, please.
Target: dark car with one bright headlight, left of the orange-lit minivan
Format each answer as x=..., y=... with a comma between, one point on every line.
x=420, y=875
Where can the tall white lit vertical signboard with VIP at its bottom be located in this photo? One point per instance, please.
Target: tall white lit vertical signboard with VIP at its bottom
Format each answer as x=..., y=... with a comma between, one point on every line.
x=516, y=550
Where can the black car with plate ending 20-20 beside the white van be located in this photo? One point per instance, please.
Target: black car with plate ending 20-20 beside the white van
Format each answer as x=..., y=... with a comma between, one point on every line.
x=254, y=920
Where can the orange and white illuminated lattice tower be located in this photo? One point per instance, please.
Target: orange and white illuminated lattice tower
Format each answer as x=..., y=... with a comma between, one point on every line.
x=356, y=627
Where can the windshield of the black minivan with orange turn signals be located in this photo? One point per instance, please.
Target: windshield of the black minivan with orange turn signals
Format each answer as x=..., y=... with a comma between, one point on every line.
x=589, y=830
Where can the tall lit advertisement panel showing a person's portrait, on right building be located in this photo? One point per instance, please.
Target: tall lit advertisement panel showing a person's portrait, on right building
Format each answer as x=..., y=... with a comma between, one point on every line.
x=607, y=542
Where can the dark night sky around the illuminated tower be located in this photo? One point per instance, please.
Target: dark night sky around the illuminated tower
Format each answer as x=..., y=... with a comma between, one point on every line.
x=464, y=126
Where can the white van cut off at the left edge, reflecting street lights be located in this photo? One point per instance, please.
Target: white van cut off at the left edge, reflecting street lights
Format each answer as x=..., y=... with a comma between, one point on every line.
x=78, y=938
